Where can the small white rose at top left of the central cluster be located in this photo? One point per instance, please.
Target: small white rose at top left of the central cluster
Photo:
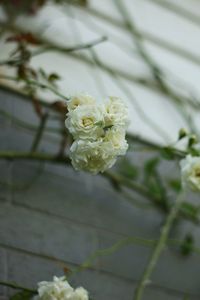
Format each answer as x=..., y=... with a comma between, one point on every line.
x=80, y=99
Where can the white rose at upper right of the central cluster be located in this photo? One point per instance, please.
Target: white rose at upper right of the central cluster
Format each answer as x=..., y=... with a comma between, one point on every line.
x=116, y=112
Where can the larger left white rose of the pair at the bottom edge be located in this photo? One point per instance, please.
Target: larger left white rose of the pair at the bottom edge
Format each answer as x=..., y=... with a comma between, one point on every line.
x=58, y=289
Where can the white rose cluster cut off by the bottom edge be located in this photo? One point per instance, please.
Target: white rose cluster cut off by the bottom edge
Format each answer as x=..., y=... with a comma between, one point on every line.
x=59, y=289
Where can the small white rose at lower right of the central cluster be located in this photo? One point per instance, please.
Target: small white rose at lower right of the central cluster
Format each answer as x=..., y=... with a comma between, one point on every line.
x=116, y=137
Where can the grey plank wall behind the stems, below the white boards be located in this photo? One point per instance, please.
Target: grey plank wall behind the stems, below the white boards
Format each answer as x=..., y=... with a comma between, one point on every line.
x=52, y=217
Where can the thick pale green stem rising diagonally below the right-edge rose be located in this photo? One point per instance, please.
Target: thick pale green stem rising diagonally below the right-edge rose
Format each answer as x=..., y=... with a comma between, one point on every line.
x=158, y=248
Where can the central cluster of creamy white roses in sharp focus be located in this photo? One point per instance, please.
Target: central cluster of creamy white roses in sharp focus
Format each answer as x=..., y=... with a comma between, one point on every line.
x=98, y=131
